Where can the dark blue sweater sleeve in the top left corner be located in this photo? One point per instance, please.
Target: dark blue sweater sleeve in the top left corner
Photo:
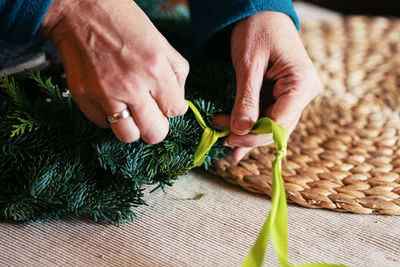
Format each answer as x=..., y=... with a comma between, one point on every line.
x=20, y=19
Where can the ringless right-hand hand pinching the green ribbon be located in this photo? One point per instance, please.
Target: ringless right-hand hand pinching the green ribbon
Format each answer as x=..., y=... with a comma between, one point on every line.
x=267, y=52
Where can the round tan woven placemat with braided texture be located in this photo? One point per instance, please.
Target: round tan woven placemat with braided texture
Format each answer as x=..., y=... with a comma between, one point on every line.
x=344, y=154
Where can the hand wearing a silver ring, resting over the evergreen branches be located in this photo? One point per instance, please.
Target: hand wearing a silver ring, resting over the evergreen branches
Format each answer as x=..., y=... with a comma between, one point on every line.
x=116, y=59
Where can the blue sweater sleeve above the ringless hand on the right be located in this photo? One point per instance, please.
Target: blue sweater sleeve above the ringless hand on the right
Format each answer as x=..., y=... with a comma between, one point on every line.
x=210, y=16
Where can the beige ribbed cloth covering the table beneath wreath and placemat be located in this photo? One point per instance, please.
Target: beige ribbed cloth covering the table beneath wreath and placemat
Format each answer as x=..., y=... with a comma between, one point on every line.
x=217, y=229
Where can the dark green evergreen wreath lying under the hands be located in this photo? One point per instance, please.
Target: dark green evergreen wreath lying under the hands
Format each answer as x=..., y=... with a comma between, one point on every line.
x=54, y=161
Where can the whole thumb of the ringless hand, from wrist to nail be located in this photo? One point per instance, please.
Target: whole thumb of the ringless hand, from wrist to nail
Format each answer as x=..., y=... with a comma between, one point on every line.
x=250, y=56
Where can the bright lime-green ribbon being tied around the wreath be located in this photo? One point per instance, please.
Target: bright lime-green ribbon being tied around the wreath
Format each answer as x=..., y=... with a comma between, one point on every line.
x=275, y=226
